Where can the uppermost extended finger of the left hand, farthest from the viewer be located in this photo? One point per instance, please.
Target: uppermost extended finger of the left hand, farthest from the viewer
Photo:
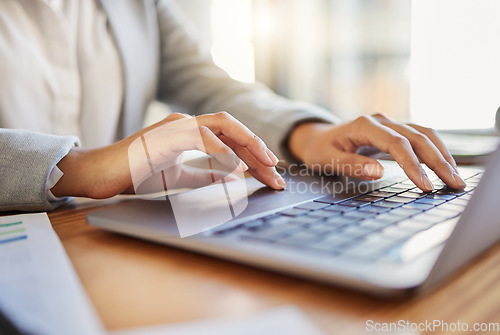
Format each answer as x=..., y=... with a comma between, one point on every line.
x=224, y=124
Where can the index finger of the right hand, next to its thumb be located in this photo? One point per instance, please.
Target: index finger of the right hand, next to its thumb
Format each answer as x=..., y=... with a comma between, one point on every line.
x=368, y=131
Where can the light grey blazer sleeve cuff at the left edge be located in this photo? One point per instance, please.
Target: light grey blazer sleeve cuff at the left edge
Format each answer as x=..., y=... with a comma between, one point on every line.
x=26, y=159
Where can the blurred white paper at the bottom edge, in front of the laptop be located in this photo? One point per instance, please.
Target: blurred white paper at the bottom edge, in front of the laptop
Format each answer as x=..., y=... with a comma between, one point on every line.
x=280, y=320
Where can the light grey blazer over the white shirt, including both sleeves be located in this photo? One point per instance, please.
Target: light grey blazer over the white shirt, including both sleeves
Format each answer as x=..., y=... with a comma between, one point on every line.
x=161, y=61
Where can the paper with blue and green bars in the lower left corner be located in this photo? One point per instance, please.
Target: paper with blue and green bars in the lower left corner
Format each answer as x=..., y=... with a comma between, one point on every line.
x=39, y=290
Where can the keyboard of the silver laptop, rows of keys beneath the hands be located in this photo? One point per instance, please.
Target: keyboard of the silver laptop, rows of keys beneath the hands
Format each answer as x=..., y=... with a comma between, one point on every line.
x=369, y=227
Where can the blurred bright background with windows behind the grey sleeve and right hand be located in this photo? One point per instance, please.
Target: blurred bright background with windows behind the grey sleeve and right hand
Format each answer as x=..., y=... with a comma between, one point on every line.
x=353, y=56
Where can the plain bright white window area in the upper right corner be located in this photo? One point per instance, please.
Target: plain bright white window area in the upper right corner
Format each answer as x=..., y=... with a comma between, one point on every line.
x=455, y=67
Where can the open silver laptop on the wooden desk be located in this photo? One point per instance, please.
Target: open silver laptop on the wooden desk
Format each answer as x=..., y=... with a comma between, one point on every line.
x=384, y=237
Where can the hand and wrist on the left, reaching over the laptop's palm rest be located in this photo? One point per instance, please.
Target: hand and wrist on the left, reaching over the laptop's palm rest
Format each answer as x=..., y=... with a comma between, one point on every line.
x=105, y=172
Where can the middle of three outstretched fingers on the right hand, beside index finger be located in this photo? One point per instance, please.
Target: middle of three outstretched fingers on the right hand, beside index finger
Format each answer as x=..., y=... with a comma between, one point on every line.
x=430, y=155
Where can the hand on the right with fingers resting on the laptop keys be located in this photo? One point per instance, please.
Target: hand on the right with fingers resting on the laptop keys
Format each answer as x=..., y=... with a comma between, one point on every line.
x=320, y=144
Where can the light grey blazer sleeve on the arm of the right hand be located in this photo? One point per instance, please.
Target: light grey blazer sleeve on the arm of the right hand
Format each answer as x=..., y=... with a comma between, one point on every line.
x=189, y=79
